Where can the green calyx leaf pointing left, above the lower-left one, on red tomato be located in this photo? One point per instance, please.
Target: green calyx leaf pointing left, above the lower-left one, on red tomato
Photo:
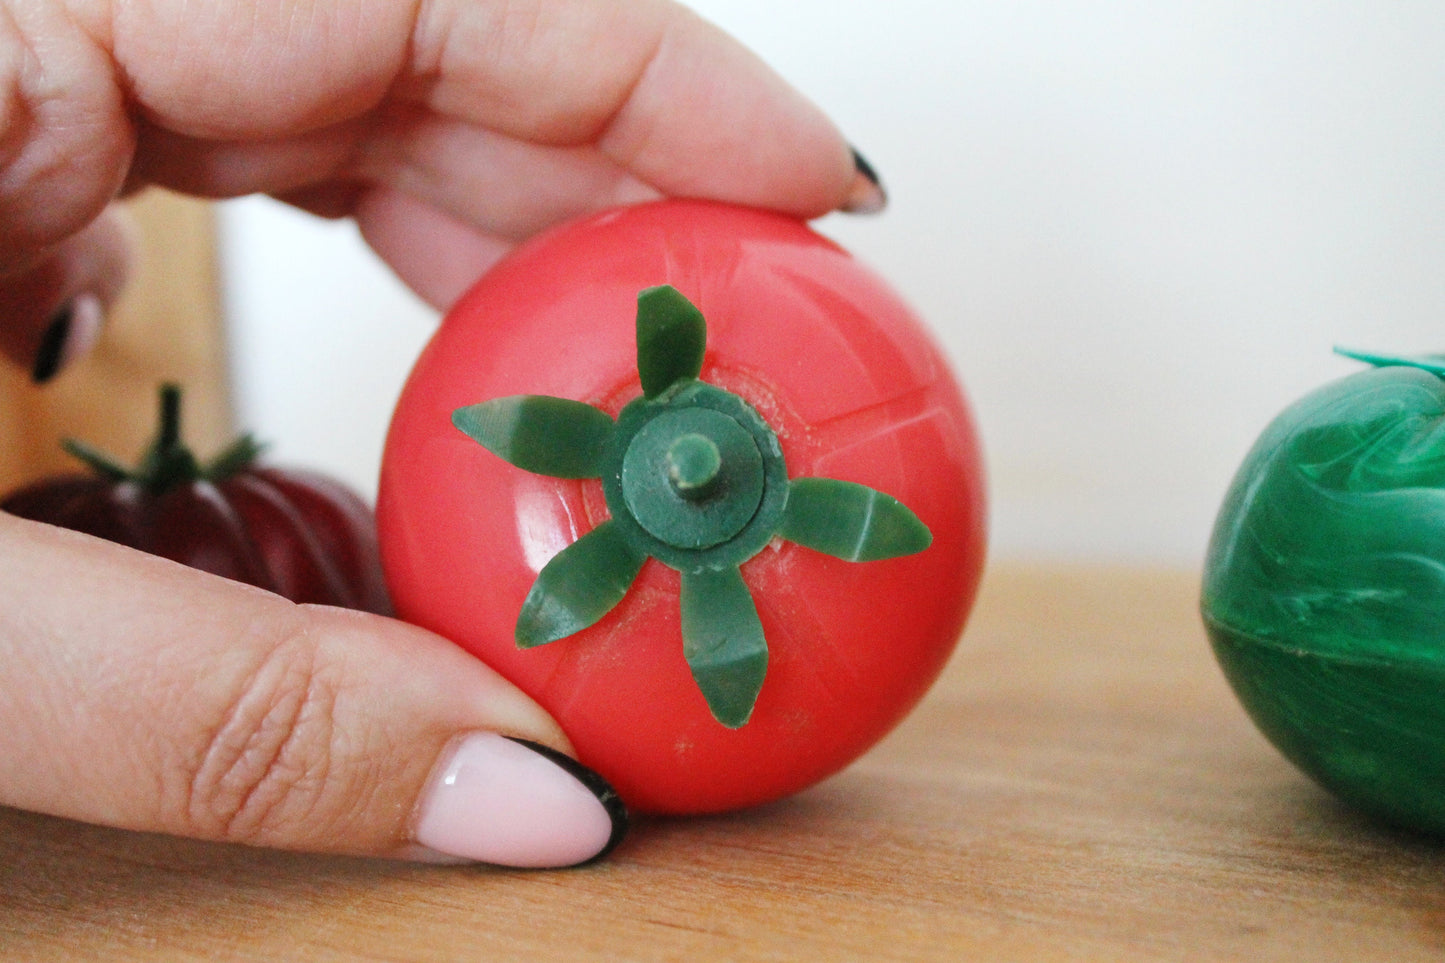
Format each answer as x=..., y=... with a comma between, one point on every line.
x=548, y=436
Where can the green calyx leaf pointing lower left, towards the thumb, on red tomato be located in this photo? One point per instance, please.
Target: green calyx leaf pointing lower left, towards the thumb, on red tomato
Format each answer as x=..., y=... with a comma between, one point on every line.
x=583, y=583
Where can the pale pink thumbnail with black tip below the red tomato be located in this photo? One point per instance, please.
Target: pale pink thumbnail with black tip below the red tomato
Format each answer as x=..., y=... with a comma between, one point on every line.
x=517, y=803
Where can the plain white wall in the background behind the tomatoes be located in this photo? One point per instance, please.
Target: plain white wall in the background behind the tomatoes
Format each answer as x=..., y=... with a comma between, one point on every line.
x=1136, y=228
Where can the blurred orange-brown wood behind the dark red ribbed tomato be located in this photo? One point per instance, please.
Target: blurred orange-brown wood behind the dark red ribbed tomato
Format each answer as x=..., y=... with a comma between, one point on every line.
x=165, y=328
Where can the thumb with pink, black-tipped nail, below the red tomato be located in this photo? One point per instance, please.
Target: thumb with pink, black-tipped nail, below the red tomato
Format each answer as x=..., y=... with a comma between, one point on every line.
x=148, y=696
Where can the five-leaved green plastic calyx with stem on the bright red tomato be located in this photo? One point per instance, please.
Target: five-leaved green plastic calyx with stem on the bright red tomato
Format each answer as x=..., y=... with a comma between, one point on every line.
x=694, y=478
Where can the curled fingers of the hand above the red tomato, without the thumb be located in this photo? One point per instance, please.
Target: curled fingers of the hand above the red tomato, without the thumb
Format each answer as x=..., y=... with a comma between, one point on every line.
x=450, y=131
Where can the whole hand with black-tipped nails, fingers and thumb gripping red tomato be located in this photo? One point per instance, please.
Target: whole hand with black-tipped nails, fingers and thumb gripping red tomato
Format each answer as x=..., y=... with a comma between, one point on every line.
x=154, y=698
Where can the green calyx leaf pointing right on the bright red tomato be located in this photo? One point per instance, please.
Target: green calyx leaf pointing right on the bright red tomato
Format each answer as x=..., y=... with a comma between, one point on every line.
x=852, y=521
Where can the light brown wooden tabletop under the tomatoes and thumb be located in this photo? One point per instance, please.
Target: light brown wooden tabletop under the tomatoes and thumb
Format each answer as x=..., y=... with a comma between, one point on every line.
x=1080, y=786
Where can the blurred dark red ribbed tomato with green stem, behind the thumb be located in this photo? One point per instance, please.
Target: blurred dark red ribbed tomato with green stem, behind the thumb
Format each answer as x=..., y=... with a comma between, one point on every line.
x=298, y=534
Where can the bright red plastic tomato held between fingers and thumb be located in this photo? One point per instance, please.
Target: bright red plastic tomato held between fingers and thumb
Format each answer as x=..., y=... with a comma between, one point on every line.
x=852, y=388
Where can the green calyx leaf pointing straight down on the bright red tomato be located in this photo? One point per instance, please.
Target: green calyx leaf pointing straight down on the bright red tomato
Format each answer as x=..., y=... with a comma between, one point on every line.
x=723, y=643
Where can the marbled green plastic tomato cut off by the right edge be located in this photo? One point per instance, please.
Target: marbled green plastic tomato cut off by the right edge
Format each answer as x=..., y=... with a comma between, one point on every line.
x=1324, y=591
